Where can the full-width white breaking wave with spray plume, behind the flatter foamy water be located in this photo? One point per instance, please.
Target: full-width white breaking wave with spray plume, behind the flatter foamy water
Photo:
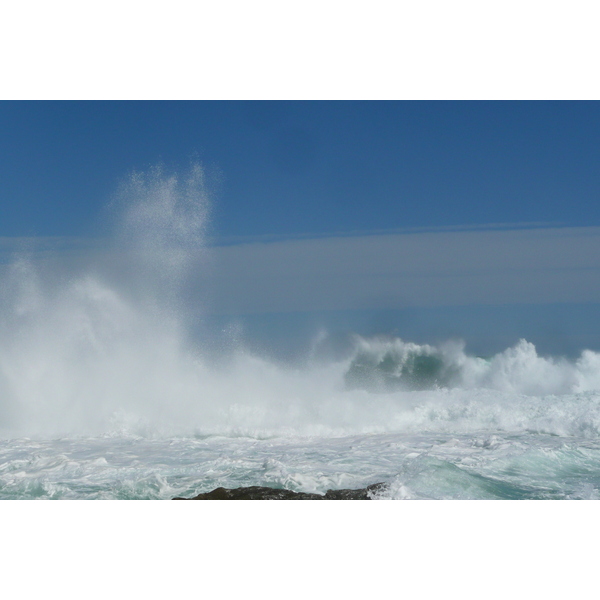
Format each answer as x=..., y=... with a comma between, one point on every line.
x=106, y=347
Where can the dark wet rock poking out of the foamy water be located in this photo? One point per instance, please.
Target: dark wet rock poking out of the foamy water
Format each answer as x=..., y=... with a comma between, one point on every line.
x=266, y=493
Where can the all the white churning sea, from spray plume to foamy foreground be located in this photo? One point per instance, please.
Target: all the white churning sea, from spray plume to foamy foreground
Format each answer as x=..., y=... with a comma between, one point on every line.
x=105, y=393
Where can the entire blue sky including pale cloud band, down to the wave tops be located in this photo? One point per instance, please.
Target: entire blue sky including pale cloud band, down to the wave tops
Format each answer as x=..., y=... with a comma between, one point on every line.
x=379, y=216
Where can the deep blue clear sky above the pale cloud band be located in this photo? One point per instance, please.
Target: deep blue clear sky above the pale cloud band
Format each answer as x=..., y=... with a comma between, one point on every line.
x=308, y=167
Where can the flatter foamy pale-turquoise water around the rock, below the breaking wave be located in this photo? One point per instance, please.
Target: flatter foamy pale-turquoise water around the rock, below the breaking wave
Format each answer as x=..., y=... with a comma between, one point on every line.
x=418, y=466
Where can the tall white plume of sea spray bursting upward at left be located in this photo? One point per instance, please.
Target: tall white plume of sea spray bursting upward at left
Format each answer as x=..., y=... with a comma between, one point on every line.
x=108, y=342
